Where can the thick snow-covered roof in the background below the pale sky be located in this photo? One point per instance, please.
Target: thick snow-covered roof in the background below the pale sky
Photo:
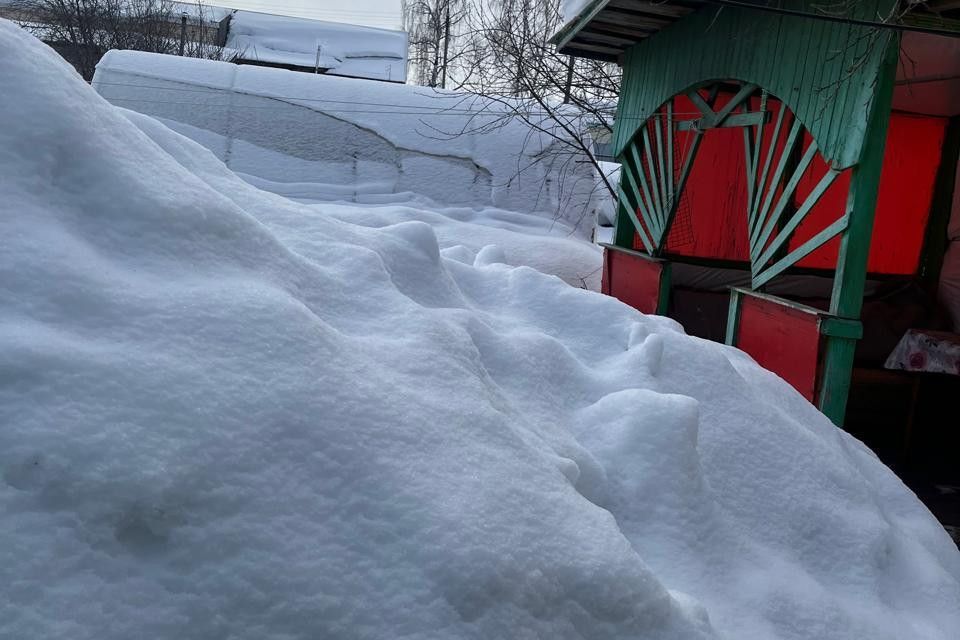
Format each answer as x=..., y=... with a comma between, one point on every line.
x=341, y=49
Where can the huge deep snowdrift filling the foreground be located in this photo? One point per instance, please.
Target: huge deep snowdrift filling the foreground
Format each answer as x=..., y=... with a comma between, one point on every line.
x=226, y=414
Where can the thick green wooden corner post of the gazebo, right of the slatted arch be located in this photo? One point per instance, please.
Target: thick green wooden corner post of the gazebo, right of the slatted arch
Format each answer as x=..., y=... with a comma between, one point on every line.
x=851, y=275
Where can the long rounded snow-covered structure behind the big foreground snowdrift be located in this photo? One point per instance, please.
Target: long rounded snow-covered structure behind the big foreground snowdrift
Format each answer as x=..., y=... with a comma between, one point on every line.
x=318, y=137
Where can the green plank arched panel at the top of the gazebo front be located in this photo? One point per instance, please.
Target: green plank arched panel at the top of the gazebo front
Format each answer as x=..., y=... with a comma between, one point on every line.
x=825, y=72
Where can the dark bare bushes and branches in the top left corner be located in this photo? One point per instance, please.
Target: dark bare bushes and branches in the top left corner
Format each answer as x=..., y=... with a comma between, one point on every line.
x=83, y=30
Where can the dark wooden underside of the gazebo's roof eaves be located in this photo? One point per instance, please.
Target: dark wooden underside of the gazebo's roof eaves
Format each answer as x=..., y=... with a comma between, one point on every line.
x=605, y=29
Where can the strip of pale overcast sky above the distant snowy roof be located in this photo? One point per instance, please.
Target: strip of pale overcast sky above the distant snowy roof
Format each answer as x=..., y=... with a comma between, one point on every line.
x=373, y=13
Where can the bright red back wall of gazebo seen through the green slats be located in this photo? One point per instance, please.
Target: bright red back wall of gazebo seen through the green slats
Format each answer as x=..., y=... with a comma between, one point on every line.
x=712, y=221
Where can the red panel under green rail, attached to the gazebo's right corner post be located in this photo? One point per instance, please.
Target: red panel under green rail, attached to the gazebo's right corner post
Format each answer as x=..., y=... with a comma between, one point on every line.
x=782, y=339
